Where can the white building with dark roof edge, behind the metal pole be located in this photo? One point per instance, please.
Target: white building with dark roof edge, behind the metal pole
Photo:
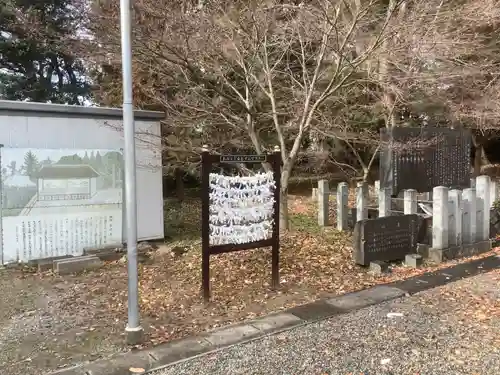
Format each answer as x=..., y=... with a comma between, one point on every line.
x=43, y=127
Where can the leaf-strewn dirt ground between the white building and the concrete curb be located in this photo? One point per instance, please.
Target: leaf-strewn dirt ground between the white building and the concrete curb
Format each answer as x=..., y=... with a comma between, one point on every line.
x=49, y=321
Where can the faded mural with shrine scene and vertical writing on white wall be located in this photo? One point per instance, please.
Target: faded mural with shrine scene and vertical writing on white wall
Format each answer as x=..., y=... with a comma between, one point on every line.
x=57, y=202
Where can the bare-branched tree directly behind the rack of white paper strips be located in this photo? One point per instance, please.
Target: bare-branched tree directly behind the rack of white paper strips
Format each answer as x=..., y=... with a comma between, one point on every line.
x=254, y=73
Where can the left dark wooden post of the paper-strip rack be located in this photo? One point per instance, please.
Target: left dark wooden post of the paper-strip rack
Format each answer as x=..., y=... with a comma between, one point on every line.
x=205, y=223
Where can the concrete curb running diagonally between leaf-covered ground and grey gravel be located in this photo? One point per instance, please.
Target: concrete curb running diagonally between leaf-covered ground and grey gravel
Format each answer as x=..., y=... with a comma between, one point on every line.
x=181, y=350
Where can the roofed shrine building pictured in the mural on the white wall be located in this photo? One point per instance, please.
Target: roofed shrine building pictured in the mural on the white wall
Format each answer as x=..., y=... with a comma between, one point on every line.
x=66, y=182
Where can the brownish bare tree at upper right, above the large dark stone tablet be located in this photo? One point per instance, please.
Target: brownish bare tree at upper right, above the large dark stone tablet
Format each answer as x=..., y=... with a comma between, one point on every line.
x=454, y=51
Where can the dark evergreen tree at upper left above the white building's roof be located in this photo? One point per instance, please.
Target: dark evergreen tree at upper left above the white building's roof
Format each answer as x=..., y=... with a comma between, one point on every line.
x=35, y=63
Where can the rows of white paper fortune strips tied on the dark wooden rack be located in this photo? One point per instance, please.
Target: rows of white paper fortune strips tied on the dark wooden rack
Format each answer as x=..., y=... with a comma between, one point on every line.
x=241, y=208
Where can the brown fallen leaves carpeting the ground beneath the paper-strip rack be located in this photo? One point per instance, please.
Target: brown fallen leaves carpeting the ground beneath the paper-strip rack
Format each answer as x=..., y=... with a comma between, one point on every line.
x=313, y=264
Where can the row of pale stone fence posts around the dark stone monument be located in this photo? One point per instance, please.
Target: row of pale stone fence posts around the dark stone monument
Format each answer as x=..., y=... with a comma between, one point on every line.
x=459, y=217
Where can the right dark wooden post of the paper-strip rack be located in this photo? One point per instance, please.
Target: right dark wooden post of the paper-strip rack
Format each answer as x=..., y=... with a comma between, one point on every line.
x=275, y=282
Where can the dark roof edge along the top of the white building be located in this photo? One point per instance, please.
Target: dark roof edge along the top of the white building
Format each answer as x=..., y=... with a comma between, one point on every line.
x=61, y=110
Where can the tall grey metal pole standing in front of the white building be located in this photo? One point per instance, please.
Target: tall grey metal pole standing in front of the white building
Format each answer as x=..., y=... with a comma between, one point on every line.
x=134, y=330
